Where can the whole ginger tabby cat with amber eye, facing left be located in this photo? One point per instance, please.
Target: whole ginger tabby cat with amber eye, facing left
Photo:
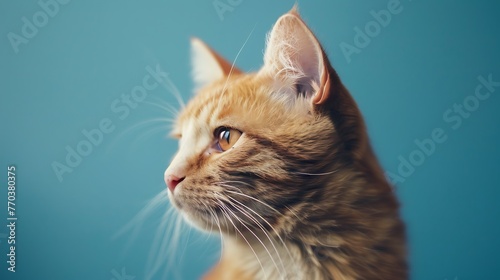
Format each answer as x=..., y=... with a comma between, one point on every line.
x=279, y=163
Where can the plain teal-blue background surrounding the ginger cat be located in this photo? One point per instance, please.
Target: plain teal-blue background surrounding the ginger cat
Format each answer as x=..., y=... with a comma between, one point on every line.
x=66, y=77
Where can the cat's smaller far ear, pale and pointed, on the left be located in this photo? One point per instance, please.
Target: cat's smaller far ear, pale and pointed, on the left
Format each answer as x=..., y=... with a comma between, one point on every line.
x=208, y=66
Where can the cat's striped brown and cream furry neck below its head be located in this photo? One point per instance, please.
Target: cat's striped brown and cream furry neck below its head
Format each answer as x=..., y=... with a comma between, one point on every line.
x=327, y=240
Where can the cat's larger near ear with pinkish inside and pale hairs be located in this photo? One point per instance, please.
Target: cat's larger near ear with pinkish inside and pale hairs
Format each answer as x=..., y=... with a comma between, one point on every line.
x=294, y=55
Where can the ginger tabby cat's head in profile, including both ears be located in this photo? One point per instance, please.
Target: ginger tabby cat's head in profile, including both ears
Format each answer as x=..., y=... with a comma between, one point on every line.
x=256, y=148
